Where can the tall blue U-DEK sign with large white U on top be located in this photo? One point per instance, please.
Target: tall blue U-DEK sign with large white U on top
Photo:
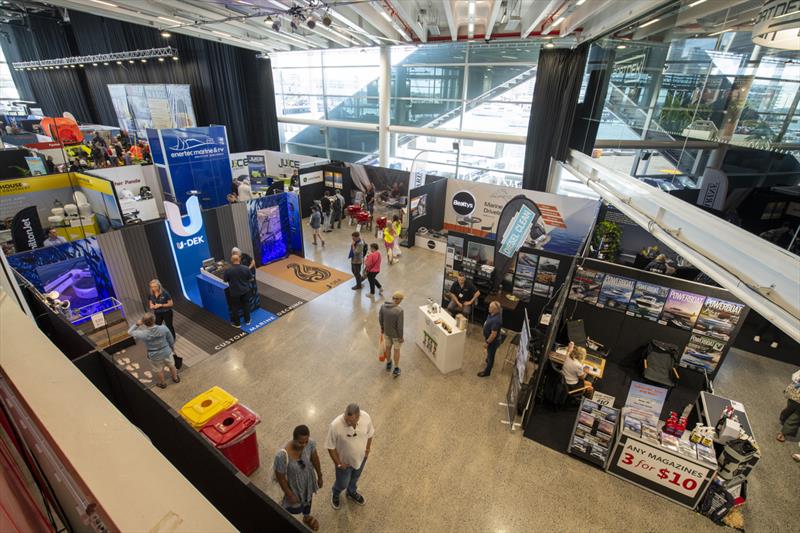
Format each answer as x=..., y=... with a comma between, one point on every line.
x=189, y=245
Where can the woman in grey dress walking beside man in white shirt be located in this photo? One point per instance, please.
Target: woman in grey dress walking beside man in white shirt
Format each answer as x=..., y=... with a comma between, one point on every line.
x=292, y=466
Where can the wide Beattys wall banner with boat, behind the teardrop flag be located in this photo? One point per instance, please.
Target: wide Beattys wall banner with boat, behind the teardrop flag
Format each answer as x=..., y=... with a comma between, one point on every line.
x=475, y=208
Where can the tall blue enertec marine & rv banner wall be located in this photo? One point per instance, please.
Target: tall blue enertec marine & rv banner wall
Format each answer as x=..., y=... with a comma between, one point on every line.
x=197, y=163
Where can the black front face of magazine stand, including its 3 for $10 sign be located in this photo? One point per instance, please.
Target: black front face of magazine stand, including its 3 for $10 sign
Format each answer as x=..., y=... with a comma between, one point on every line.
x=651, y=466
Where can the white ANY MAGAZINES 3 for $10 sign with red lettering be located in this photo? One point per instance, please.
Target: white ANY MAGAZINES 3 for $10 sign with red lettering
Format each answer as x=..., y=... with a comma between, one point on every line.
x=665, y=469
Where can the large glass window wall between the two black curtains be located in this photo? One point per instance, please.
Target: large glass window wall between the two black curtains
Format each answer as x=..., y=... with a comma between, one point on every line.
x=456, y=86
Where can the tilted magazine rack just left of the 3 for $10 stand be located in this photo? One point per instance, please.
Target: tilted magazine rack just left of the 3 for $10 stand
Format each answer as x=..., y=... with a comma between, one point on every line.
x=594, y=430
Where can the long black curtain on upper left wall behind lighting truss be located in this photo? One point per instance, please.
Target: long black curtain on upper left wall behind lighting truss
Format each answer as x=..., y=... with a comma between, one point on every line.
x=229, y=85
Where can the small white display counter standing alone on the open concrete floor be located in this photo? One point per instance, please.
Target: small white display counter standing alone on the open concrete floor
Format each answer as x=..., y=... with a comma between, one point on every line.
x=445, y=349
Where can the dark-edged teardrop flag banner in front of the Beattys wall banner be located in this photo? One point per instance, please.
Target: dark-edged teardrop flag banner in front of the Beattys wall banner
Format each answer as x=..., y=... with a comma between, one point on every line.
x=519, y=224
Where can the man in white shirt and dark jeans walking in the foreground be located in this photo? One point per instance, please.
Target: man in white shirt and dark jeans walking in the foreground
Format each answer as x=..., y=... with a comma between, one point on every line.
x=348, y=442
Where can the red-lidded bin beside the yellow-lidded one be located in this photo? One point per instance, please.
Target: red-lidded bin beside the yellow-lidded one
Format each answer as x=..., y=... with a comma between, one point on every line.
x=233, y=432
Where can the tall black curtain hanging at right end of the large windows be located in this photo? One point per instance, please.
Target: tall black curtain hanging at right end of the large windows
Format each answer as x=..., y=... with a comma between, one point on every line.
x=555, y=98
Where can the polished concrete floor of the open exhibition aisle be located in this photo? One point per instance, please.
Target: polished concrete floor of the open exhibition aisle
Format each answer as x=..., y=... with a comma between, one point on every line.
x=441, y=459
